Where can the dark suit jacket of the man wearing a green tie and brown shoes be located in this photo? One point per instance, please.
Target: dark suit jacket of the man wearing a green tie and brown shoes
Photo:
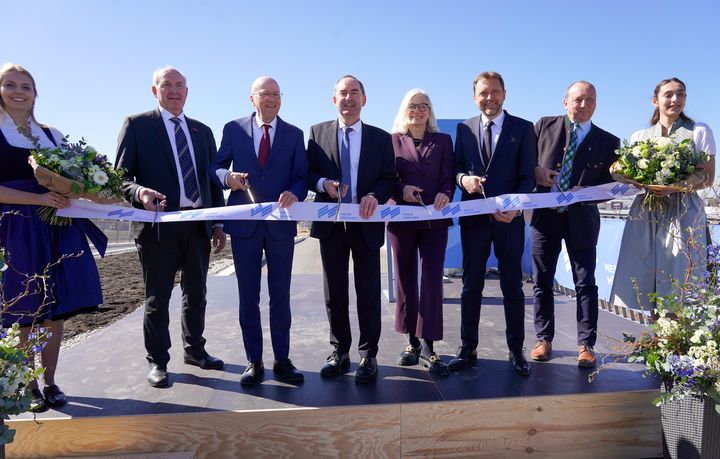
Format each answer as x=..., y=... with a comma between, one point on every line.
x=591, y=166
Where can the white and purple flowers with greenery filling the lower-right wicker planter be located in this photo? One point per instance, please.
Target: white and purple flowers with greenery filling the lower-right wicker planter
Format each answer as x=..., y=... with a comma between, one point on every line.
x=683, y=348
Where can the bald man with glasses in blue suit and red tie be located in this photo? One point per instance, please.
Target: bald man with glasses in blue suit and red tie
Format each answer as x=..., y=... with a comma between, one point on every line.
x=268, y=160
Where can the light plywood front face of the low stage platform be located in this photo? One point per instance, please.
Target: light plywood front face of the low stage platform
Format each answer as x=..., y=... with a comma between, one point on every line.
x=611, y=425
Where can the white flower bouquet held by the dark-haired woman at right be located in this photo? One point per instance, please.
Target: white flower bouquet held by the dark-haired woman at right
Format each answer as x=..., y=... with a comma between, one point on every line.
x=659, y=164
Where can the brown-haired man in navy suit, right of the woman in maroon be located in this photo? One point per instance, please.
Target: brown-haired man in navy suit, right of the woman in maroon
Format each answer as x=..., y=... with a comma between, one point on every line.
x=494, y=154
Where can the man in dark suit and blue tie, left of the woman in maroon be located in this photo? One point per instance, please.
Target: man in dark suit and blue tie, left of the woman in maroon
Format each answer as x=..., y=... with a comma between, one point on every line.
x=356, y=160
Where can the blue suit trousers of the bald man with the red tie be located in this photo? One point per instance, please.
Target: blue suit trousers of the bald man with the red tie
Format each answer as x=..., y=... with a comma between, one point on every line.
x=247, y=256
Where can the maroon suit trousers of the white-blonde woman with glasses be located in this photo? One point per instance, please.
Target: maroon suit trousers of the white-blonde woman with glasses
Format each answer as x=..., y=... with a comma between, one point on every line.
x=419, y=313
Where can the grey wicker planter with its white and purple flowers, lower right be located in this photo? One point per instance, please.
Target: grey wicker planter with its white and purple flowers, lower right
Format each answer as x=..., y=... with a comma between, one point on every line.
x=682, y=350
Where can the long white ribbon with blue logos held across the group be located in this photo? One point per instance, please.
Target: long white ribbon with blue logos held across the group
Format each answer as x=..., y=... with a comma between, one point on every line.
x=325, y=212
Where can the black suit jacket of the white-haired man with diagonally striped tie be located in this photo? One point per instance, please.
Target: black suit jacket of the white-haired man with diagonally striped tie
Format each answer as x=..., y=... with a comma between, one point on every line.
x=145, y=152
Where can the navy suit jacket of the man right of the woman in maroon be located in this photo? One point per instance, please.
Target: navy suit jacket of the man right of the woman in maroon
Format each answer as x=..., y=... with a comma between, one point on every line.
x=511, y=168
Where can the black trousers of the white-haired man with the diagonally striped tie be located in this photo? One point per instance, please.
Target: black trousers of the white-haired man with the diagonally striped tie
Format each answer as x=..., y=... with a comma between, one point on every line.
x=189, y=252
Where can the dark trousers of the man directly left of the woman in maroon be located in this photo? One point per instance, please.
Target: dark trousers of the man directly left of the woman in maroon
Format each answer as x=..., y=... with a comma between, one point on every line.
x=335, y=252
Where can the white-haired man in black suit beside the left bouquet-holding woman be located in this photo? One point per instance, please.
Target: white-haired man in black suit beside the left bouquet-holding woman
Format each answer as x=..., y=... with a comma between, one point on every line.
x=166, y=157
